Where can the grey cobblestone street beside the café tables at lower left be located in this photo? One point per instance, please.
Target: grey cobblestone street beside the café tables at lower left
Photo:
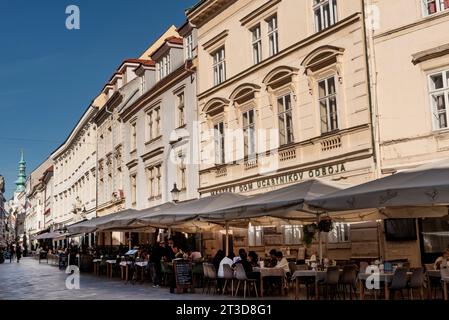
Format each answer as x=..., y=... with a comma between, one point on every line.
x=31, y=280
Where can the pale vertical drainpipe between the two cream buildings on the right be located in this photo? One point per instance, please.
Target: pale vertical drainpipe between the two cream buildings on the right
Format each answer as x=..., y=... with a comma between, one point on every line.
x=371, y=73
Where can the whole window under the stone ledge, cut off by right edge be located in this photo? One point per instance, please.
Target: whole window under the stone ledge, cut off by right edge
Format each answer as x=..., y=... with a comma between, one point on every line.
x=439, y=98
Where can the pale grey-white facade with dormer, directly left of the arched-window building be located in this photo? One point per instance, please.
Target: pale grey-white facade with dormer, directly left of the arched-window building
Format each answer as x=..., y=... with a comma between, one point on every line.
x=159, y=129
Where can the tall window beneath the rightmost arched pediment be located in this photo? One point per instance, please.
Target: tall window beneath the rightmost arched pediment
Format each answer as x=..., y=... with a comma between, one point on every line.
x=328, y=105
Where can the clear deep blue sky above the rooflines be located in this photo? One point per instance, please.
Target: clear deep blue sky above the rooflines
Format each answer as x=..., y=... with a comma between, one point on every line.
x=49, y=74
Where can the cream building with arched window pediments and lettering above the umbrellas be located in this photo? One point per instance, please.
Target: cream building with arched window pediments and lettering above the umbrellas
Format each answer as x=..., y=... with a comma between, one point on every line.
x=283, y=97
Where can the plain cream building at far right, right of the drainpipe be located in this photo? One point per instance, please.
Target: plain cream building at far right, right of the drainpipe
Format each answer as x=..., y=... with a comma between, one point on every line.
x=409, y=50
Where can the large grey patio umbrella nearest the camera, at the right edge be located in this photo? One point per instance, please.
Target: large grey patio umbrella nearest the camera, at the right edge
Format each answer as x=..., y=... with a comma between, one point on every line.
x=419, y=192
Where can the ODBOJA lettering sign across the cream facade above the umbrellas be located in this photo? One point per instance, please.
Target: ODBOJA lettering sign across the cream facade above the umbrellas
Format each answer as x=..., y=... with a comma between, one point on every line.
x=287, y=178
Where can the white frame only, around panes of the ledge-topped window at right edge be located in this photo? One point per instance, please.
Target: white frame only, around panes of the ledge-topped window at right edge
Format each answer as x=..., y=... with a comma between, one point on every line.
x=434, y=92
